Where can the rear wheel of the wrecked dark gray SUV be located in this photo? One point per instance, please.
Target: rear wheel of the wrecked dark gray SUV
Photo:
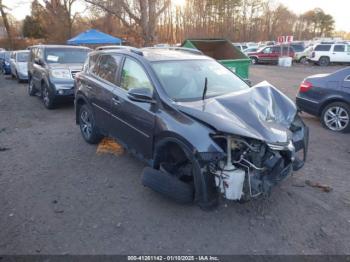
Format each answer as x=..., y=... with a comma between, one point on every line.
x=87, y=125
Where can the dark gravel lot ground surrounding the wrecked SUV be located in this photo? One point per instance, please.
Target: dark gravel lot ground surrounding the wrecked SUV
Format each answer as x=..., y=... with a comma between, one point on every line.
x=57, y=196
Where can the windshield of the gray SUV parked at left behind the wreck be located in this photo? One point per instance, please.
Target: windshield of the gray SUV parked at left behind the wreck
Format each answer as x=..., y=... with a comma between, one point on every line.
x=66, y=55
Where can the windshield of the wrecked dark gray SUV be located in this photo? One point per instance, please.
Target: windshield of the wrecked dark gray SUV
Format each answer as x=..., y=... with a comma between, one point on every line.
x=186, y=80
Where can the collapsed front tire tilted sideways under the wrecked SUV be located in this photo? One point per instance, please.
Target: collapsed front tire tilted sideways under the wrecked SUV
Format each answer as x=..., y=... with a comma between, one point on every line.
x=168, y=185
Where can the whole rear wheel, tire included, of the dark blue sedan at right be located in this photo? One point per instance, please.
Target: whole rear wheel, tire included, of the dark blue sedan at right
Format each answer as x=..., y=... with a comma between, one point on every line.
x=336, y=117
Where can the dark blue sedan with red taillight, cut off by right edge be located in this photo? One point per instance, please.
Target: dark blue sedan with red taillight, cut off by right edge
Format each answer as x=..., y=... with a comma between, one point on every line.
x=327, y=96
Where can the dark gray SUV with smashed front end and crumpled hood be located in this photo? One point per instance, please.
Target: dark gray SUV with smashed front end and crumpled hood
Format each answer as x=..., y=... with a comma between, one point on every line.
x=203, y=131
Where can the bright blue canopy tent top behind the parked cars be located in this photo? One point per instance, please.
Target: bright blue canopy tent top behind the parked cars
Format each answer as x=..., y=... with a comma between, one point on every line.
x=94, y=37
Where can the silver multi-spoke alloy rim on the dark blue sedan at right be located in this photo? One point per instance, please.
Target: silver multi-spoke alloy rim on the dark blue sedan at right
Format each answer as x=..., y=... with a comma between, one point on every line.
x=336, y=118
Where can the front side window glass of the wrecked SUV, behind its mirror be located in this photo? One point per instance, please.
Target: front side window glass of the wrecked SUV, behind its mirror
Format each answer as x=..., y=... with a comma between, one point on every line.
x=134, y=76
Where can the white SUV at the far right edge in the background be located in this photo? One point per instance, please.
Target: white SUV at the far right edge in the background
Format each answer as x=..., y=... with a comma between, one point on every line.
x=324, y=54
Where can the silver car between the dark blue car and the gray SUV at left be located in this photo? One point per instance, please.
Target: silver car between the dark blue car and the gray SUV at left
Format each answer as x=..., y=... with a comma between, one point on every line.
x=19, y=65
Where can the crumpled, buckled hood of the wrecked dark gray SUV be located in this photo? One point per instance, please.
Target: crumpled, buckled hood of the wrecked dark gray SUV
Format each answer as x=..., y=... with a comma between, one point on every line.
x=261, y=112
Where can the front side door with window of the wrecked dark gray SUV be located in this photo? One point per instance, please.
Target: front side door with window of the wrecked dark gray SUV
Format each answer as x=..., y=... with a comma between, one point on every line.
x=133, y=122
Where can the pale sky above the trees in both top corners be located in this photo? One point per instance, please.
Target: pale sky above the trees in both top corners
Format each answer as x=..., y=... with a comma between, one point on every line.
x=339, y=9
